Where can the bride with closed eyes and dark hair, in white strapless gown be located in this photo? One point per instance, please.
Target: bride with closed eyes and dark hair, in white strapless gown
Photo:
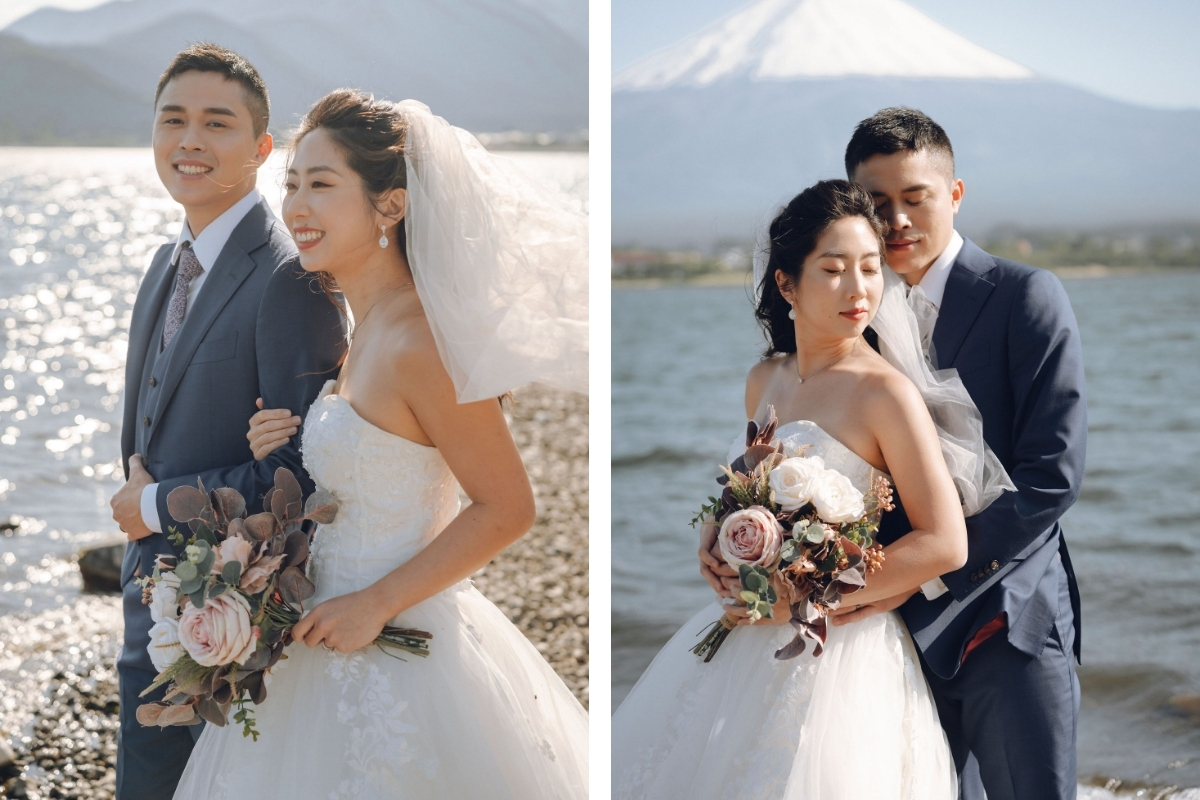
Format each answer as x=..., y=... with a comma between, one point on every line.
x=859, y=721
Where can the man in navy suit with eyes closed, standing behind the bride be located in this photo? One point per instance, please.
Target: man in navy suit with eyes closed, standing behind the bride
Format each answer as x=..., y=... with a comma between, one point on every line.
x=1000, y=637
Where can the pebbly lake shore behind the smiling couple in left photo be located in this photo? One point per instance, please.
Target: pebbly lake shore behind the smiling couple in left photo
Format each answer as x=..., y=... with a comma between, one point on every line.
x=59, y=705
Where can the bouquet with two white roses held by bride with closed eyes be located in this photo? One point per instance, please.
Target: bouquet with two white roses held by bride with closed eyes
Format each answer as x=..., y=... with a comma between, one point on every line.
x=793, y=526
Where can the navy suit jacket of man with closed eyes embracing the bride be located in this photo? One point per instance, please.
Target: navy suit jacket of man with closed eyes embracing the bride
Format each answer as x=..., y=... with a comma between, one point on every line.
x=1010, y=332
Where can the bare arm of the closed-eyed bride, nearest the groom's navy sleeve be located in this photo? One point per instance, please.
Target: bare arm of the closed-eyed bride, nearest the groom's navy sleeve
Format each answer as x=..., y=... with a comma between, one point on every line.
x=910, y=447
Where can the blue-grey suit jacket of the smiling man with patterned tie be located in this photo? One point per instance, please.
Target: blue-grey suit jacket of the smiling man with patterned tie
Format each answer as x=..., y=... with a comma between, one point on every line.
x=260, y=328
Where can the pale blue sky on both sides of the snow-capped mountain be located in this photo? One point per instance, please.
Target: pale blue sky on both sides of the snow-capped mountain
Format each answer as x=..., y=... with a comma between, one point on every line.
x=1131, y=50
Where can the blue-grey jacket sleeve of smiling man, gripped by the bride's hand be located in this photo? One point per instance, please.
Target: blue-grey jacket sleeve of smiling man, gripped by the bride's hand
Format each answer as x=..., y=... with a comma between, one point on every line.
x=299, y=342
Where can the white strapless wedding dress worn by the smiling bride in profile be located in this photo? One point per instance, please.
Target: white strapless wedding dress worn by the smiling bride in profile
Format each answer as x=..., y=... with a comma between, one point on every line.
x=483, y=717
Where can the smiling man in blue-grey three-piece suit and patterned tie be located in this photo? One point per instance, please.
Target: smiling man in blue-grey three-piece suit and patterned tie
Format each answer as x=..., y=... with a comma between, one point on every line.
x=225, y=316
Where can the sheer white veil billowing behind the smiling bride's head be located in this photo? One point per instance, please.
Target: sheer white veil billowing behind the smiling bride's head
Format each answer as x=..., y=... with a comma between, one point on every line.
x=501, y=264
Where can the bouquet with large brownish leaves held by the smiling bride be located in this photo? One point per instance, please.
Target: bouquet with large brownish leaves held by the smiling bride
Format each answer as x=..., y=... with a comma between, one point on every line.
x=224, y=611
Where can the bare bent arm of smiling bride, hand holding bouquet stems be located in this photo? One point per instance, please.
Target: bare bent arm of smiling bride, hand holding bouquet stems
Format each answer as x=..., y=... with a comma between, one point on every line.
x=476, y=443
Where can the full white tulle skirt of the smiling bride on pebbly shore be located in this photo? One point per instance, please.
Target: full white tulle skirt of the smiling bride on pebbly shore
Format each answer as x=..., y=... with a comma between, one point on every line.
x=482, y=717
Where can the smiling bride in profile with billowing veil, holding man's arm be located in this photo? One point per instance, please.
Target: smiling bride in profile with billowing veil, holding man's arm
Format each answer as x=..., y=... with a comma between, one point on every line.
x=461, y=293
